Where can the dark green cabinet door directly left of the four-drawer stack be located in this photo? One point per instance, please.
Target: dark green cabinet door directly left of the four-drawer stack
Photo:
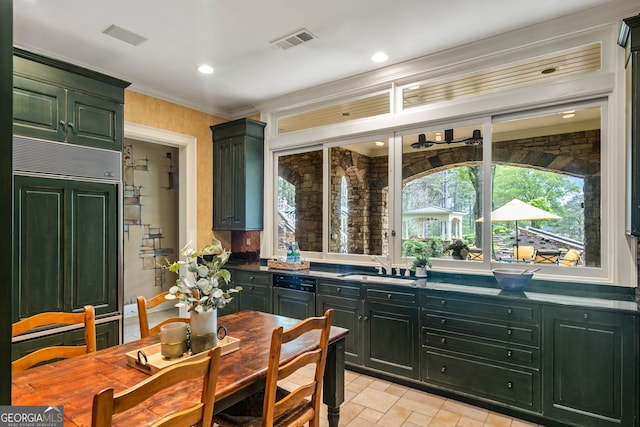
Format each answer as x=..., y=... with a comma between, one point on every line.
x=391, y=339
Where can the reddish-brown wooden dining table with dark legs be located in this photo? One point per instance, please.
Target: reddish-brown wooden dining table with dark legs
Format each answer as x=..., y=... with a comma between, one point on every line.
x=72, y=383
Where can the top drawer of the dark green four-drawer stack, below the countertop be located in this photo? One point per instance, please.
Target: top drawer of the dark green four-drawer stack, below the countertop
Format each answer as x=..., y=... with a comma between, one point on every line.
x=481, y=307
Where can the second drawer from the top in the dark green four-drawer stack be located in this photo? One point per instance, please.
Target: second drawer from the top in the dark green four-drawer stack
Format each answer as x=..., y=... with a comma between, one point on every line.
x=503, y=331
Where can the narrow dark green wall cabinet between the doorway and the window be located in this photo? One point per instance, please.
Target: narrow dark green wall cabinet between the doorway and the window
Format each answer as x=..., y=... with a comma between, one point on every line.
x=238, y=189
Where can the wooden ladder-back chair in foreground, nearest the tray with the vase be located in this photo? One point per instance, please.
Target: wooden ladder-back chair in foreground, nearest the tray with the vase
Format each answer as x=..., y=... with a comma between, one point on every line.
x=106, y=403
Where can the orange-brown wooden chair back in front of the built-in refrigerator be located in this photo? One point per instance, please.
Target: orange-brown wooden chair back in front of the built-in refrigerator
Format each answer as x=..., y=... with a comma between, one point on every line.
x=87, y=318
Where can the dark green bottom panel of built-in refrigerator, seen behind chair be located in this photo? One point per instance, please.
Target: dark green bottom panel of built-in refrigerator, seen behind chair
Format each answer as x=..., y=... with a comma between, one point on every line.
x=107, y=335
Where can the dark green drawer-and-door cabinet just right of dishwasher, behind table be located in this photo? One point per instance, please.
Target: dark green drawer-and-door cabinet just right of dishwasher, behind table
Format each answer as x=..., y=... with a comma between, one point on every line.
x=347, y=313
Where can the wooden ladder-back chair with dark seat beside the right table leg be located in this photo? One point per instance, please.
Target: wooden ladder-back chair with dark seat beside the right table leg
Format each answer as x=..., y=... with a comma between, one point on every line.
x=275, y=406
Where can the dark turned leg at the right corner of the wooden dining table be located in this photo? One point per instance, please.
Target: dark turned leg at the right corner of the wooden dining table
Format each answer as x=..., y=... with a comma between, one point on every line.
x=333, y=387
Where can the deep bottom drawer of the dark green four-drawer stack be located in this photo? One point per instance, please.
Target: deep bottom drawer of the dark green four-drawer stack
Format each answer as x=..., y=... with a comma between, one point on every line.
x=518, y=387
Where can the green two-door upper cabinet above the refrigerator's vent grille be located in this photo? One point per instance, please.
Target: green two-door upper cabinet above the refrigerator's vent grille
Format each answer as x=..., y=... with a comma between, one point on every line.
x=60, y=102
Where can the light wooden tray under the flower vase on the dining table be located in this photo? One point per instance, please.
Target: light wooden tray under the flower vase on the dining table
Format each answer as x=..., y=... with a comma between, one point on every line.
x=155, y=362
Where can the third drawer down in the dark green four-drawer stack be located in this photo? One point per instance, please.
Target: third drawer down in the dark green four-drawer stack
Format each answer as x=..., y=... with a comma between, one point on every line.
x=493, y=351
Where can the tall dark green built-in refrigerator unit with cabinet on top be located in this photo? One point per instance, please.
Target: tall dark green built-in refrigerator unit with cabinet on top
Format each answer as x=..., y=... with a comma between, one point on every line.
x=67, y=192
